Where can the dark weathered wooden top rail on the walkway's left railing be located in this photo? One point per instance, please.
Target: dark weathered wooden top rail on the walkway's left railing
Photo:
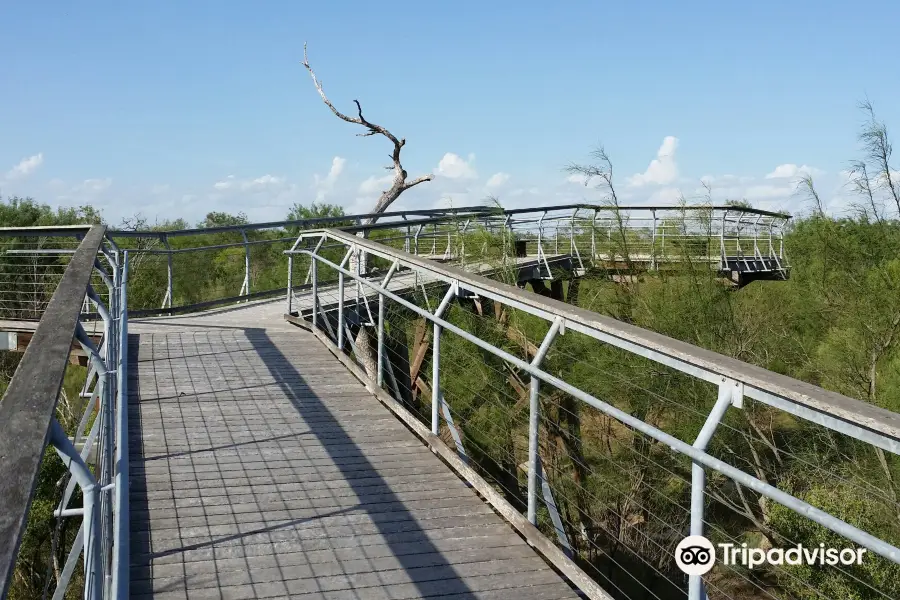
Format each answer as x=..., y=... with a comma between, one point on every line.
x=27, y=408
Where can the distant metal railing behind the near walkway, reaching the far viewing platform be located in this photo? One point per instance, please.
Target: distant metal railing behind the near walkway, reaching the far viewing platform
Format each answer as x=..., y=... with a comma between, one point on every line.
x=196, y=269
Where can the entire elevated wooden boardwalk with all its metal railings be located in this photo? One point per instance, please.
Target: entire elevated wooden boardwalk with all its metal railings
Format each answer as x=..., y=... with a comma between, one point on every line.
x=400, y=409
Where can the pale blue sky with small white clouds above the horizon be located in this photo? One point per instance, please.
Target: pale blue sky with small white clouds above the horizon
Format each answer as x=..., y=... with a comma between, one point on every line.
x=177, y=108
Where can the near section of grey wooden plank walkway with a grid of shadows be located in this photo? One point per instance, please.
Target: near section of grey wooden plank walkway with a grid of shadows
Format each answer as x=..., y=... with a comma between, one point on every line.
x=261, y=468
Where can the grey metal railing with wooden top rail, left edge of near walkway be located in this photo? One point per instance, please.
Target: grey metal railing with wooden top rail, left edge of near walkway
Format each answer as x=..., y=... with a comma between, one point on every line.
x=91, y=439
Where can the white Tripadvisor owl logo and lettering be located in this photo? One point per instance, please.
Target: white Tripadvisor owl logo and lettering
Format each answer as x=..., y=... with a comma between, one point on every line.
x=695, y=555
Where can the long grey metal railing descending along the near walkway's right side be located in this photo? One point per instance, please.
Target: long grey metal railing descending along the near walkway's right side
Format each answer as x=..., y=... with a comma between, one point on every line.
x=703, y=479
